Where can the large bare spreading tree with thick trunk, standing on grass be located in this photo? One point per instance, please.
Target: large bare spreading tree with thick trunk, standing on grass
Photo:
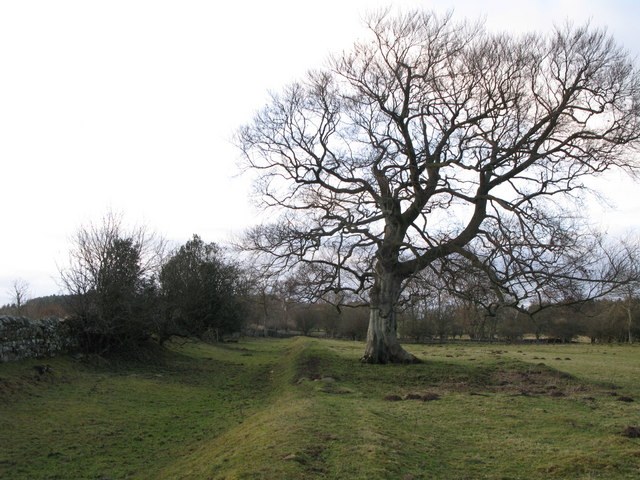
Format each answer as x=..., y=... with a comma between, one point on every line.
x=435, y=141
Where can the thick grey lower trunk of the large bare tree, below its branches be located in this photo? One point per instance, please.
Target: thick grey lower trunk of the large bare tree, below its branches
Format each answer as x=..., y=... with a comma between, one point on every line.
x=382, y=339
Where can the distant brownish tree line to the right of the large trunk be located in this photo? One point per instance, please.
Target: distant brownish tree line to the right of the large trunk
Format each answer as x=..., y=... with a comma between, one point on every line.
x=444, y=305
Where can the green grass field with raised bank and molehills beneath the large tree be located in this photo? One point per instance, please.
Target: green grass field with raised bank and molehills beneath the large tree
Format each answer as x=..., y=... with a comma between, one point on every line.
x=307, y=409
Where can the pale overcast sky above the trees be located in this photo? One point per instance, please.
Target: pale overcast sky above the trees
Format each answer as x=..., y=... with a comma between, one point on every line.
x=131, y=106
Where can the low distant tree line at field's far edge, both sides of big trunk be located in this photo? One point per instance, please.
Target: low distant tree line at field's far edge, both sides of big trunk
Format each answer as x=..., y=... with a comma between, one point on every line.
x=600, y=321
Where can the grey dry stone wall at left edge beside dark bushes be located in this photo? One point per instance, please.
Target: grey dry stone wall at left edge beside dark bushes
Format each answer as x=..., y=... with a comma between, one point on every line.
x=24, y=338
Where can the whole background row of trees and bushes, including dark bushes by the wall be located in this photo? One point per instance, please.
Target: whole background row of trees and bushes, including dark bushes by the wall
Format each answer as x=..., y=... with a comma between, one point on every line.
x=125, y=288
